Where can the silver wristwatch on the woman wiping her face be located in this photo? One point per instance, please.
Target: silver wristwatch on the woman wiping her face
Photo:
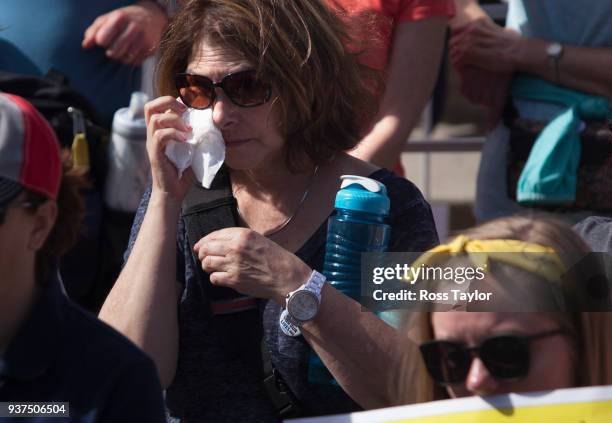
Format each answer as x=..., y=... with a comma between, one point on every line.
x=302, y=305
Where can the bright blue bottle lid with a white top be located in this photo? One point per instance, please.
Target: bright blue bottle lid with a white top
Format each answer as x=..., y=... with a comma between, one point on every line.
x=358, y=193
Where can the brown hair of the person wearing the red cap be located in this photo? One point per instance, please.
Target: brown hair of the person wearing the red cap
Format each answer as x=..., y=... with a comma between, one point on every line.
x=68, y=224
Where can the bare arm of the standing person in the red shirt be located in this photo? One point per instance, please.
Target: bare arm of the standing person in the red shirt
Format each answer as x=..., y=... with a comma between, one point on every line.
x=411, y=75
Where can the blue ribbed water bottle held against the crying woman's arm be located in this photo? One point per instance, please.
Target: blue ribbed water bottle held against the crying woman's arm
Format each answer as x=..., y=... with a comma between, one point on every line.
x=357, y=225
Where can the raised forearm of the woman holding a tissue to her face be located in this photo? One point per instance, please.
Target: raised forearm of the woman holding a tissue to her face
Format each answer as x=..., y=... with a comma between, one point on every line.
x=143, y=302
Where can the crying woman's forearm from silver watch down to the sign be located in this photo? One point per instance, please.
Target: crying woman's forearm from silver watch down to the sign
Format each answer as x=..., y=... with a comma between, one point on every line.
x=357, y=347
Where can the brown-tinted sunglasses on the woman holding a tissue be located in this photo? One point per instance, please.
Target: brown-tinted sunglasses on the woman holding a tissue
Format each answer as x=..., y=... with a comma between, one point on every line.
x=243, y=89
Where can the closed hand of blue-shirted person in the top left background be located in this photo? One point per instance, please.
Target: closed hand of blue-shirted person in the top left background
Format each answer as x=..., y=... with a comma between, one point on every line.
x=128, y=34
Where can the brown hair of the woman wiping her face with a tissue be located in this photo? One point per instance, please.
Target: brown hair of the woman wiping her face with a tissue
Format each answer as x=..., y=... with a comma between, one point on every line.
x=325, y=96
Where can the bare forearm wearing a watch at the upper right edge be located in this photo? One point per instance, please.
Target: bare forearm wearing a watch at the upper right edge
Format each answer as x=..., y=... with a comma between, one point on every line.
x=580, y=68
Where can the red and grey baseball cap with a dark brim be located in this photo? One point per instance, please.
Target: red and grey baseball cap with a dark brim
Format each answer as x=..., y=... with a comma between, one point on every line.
x=29, y=151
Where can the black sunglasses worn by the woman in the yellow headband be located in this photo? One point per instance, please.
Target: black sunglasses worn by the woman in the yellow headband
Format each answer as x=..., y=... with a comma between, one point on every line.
x=506, y=357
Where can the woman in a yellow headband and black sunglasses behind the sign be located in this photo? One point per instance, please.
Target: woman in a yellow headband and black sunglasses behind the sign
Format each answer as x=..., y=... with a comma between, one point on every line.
x=488, y=352
